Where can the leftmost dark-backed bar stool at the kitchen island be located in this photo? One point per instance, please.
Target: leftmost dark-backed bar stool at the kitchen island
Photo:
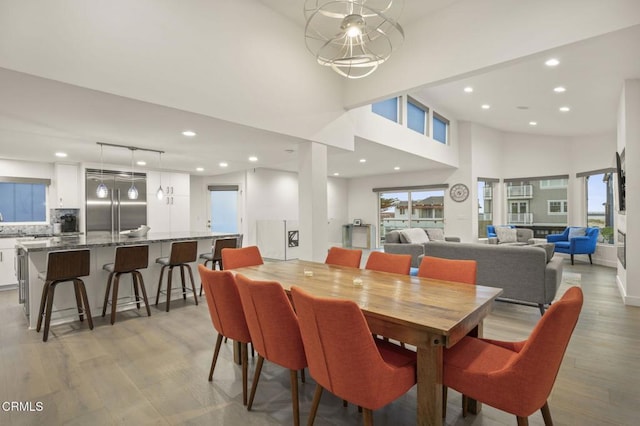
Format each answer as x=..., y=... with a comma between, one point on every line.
x=64, y=266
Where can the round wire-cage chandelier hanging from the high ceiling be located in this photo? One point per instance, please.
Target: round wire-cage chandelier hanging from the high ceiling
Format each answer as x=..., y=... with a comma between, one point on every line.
x=353, y=37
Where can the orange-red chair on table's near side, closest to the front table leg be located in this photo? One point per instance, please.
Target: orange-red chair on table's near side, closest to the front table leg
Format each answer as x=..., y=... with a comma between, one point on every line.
x=348, y=361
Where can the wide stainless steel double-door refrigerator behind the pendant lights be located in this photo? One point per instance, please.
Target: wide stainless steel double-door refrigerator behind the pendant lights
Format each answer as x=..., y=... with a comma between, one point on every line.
x=116, y=212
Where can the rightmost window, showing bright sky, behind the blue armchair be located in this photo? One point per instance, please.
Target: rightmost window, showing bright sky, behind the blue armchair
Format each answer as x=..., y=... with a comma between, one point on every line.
x=600, y=208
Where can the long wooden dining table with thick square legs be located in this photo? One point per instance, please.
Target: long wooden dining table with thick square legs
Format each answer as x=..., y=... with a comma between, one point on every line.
x=426, y=313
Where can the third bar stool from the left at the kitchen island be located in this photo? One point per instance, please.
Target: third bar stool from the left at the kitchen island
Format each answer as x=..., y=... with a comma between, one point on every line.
x=182, y=253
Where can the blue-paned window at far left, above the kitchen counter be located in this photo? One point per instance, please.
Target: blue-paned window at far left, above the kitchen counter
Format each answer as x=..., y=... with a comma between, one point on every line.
x=23, y=201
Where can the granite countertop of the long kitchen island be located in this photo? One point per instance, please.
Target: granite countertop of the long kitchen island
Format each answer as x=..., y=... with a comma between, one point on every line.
x=31, y=244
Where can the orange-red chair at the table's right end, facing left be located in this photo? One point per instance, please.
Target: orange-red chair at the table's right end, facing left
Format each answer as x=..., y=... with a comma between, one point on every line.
x=516, y=377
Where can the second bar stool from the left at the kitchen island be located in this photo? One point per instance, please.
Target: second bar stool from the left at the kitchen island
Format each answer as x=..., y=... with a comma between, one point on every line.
x=129, y=259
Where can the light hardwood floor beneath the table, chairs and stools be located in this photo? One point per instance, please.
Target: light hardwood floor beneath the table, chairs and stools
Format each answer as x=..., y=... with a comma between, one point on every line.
x=154, y=370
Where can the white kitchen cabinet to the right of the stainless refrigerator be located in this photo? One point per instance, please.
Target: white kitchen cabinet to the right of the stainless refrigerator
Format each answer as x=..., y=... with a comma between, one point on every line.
x=171, y=214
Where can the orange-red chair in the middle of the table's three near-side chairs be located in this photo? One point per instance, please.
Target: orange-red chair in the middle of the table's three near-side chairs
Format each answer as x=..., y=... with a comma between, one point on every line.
x=274, y=330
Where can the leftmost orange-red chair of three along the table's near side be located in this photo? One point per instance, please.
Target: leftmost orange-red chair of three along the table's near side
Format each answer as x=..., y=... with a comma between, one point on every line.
x=225, y=308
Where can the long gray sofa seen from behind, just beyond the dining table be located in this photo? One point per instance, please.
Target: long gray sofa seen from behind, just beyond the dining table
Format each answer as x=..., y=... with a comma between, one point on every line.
x=527, y=274
